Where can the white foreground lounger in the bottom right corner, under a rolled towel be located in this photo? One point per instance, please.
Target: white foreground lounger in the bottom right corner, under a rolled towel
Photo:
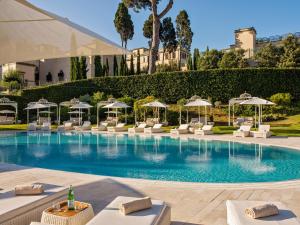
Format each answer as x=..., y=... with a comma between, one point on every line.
x=236, y=214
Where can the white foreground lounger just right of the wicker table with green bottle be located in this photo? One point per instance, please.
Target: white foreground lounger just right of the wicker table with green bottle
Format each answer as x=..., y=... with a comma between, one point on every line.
x=159, y=214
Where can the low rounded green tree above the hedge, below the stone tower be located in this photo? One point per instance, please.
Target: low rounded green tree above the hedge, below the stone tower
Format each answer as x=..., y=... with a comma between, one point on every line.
x=233, y=59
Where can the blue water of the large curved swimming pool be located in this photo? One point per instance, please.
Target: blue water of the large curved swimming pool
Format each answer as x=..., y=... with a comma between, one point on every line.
x=156, y=158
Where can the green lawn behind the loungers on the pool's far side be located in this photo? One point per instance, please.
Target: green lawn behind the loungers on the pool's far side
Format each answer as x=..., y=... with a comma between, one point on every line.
x=290, y=127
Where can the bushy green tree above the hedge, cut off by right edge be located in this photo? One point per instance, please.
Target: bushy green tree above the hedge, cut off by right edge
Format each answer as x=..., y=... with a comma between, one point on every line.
x=291, y=53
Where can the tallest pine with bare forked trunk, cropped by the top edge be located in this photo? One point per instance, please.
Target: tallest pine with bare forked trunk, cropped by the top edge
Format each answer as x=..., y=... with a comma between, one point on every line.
x=157, y=16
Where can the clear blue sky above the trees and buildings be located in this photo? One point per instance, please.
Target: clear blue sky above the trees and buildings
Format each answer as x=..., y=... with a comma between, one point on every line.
x=213, y=21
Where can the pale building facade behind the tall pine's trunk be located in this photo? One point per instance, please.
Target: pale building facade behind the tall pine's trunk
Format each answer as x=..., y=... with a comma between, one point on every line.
x=162, y=58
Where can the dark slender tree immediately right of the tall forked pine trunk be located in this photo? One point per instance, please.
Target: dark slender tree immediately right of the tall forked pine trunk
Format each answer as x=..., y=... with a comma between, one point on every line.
x=168, y=37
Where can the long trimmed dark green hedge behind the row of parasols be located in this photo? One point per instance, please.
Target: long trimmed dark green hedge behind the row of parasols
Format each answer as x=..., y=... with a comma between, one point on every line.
x=220, y=85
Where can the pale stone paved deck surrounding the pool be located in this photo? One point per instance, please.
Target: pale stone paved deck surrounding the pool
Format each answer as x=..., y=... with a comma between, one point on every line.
x=192, y=203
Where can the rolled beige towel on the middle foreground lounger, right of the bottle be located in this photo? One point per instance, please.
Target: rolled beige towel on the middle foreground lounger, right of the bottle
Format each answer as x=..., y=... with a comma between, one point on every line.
x=135, y=205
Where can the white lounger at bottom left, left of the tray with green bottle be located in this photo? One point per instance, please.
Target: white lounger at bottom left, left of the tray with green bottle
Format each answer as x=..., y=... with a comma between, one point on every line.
x=21, y=210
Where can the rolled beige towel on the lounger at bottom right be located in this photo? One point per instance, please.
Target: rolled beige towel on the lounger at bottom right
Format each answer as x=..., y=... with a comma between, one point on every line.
x=262, y=211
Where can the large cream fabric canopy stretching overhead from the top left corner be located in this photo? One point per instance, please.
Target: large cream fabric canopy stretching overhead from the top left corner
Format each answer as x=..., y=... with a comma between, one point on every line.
x=29, y=33
